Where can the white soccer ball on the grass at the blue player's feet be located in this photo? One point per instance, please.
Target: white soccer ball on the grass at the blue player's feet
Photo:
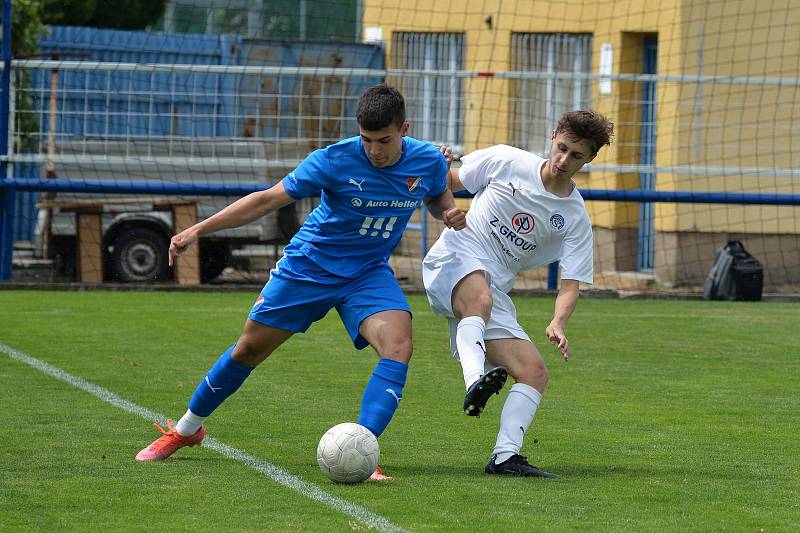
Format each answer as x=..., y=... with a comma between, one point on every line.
x=348, y=453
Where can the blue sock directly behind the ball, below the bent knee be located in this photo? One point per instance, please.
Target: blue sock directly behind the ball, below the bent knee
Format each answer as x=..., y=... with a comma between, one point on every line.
x=382, y=395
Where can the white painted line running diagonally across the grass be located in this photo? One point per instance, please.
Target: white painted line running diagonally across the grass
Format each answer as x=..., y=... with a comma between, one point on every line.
x=275, y=473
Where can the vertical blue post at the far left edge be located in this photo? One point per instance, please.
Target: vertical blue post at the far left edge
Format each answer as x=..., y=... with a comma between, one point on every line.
x=6, y=195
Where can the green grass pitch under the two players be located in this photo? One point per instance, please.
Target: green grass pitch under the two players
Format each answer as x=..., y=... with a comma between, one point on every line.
x=669, y=416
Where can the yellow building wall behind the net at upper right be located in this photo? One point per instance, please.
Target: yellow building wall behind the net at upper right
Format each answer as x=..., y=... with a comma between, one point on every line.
x=712, y=124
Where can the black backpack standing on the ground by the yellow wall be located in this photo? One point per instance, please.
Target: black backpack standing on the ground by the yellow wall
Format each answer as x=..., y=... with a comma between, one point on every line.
x=735, y=275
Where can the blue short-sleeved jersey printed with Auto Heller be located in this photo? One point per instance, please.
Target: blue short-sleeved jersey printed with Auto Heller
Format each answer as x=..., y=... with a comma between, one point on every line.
x=363, y=210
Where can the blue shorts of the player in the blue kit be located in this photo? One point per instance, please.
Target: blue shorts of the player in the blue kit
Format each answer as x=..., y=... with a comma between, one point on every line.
x=300, y=292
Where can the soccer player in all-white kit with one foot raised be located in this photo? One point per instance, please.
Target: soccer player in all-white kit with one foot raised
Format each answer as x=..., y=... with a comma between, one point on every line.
x=526, y=213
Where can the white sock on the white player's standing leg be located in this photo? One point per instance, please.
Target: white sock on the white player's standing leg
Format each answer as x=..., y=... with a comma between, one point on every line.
x=516, y=418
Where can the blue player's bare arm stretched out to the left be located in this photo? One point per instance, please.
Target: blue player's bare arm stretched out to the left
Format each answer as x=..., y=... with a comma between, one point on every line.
x=239, y=213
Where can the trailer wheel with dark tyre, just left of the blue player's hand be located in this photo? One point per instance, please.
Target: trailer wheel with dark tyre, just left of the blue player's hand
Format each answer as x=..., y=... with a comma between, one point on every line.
x=140, y=254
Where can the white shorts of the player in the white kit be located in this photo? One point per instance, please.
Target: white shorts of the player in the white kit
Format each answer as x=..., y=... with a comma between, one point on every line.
x=441, y=274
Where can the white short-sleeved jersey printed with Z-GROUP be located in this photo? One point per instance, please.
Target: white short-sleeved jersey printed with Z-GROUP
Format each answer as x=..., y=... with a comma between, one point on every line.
x=514, y=224
